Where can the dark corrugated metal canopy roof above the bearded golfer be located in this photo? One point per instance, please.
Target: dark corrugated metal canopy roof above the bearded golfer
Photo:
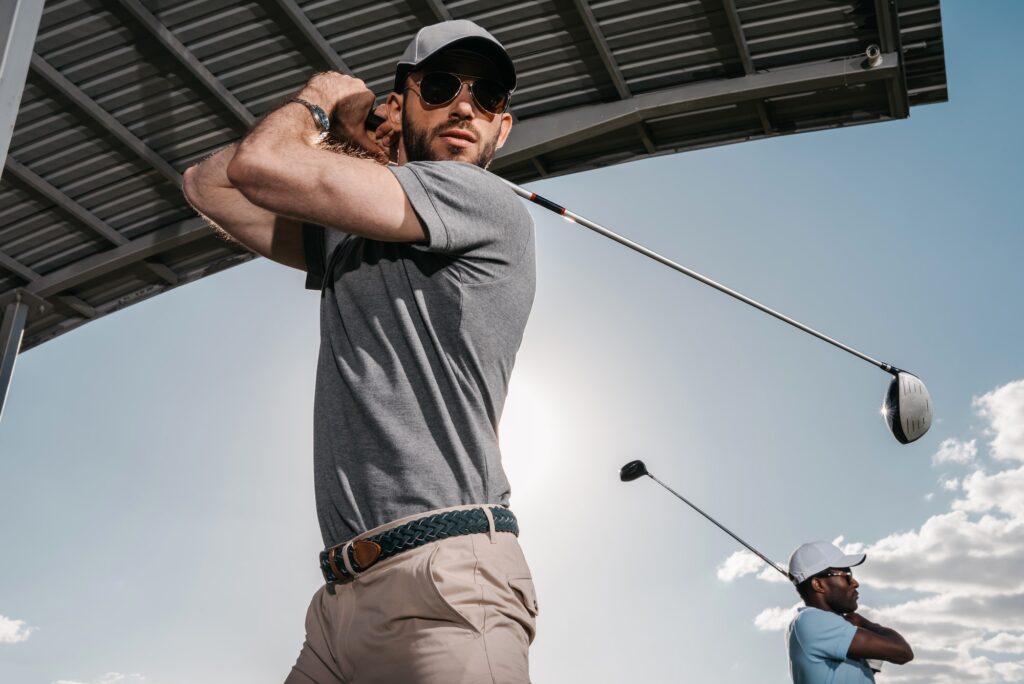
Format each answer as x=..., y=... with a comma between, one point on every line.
x=123, y=96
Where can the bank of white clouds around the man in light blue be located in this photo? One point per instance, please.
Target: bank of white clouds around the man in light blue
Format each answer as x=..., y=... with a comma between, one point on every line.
x=966, y=621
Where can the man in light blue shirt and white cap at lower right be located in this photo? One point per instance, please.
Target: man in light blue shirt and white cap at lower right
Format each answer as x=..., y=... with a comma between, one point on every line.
x=828, y=642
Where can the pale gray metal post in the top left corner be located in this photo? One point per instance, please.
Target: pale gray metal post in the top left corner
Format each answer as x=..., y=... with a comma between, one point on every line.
x=19, y=26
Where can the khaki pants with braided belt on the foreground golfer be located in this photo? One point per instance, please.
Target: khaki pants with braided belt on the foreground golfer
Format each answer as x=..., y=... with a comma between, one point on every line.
x=461, y=611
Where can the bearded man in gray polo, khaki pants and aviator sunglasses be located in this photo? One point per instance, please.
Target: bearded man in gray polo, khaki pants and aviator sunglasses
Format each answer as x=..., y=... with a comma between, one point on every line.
x=426, y=275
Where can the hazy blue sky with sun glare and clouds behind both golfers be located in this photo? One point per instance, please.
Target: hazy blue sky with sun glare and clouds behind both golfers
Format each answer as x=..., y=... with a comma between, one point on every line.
x=148, y=454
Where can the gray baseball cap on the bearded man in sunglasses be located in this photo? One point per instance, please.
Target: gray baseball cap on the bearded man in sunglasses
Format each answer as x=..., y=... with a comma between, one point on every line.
x=457, y=33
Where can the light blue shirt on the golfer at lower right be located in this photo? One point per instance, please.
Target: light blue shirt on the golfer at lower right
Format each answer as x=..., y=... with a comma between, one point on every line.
x=818, y=642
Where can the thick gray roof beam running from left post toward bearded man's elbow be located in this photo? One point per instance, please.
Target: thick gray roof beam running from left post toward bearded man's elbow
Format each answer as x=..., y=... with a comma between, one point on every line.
x=120, y=258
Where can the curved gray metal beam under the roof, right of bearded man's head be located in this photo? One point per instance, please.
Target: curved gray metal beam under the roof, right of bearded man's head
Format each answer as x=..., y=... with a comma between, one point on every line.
x=554, y=132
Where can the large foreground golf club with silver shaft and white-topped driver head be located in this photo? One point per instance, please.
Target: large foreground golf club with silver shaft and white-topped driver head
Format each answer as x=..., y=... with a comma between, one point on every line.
x=908, y=407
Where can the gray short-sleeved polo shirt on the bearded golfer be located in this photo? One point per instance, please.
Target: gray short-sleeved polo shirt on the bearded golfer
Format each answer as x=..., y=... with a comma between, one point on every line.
x=417, y=346
